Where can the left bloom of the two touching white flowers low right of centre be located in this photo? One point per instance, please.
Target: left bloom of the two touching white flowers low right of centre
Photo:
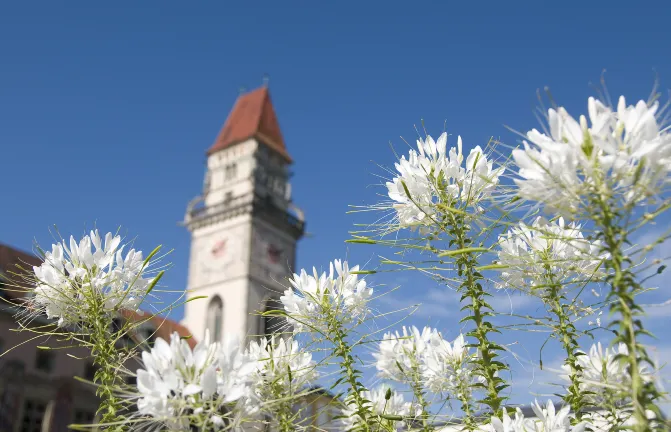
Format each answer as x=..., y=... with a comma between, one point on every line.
x=400, y=357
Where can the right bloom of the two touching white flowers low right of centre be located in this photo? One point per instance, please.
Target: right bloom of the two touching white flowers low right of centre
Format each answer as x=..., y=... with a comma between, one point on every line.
x=449, y=367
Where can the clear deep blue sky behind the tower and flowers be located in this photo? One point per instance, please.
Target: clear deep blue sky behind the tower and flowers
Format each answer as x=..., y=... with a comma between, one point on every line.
x=106, y=110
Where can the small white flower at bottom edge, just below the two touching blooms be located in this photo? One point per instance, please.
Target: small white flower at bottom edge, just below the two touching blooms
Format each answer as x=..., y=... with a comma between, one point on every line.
x=379, y=404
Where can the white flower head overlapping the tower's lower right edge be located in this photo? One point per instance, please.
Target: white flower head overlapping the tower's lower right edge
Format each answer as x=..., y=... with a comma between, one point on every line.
x=316, y=299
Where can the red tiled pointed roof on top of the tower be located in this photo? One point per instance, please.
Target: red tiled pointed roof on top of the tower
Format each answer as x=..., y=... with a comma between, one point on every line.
x=252, y=116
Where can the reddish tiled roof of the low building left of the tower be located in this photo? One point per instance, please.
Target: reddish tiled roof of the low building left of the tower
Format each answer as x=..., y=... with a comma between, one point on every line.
x=13, y=260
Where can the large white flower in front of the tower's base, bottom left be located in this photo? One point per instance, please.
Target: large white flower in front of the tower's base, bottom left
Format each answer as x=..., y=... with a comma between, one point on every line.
x=178, y=386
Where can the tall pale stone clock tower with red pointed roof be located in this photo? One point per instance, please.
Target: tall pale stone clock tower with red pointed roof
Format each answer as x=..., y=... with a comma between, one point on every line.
x=244, y=227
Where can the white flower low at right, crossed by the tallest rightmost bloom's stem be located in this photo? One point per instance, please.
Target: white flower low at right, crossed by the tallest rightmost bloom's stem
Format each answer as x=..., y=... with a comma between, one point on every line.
x=600, y=372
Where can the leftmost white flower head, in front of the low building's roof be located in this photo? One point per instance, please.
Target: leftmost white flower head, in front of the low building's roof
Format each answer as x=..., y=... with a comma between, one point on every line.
x=89, y=274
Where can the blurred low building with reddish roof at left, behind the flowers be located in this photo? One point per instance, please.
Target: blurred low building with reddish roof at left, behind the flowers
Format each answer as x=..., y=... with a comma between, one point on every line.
x=38, y=391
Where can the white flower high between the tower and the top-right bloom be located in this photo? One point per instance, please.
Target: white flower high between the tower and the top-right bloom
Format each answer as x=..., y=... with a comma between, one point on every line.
x=435, y=175
